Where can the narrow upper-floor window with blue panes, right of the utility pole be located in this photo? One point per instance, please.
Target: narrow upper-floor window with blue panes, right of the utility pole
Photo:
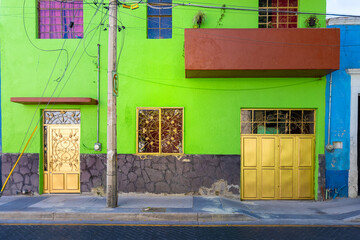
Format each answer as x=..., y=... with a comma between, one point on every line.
x=159, y=19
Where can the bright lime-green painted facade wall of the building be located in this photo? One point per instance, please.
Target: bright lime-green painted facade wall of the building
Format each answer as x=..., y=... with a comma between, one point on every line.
x=151, y=74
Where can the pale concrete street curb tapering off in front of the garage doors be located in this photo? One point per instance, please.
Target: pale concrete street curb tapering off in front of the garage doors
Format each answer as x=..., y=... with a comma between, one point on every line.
x=128, y=217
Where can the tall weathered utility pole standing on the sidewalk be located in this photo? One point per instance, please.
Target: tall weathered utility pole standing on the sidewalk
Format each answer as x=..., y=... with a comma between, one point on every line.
x=111, y=174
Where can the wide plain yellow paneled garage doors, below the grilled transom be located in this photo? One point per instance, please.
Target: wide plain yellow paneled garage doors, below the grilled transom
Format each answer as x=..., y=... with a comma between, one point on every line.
x=277, y=167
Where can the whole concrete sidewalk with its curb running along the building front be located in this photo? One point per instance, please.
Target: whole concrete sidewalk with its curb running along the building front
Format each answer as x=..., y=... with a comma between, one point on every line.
x=145, y=209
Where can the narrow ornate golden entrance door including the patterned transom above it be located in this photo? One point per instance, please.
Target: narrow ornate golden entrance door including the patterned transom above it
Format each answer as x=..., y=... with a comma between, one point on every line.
x=62, y=152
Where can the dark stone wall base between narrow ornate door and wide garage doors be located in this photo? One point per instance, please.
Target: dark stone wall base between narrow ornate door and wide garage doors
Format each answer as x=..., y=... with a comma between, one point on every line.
x=188, y=174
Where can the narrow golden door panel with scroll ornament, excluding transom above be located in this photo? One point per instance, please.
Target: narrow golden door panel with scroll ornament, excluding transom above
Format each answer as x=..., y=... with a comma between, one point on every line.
x=63, y=159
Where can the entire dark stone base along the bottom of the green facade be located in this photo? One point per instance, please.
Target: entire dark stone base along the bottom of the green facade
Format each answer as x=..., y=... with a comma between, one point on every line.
x=187, y=174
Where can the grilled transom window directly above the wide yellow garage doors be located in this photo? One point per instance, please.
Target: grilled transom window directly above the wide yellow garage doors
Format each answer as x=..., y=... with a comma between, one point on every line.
x=277, y=121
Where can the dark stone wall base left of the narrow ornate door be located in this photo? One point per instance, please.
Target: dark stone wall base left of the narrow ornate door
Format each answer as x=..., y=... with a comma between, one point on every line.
x=25, y=175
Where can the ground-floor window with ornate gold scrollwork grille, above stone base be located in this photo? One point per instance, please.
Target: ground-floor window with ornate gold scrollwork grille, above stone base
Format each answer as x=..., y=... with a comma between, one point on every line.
x=160, y=130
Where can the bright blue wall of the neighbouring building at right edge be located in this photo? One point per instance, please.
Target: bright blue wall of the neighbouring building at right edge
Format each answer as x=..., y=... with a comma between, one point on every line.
x=337, y=162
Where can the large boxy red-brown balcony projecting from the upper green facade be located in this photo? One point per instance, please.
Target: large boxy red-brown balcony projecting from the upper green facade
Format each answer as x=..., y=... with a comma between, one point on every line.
x=232, y=53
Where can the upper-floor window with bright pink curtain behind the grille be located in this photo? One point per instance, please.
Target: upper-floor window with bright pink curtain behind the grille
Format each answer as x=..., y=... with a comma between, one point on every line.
x=59, y=19
